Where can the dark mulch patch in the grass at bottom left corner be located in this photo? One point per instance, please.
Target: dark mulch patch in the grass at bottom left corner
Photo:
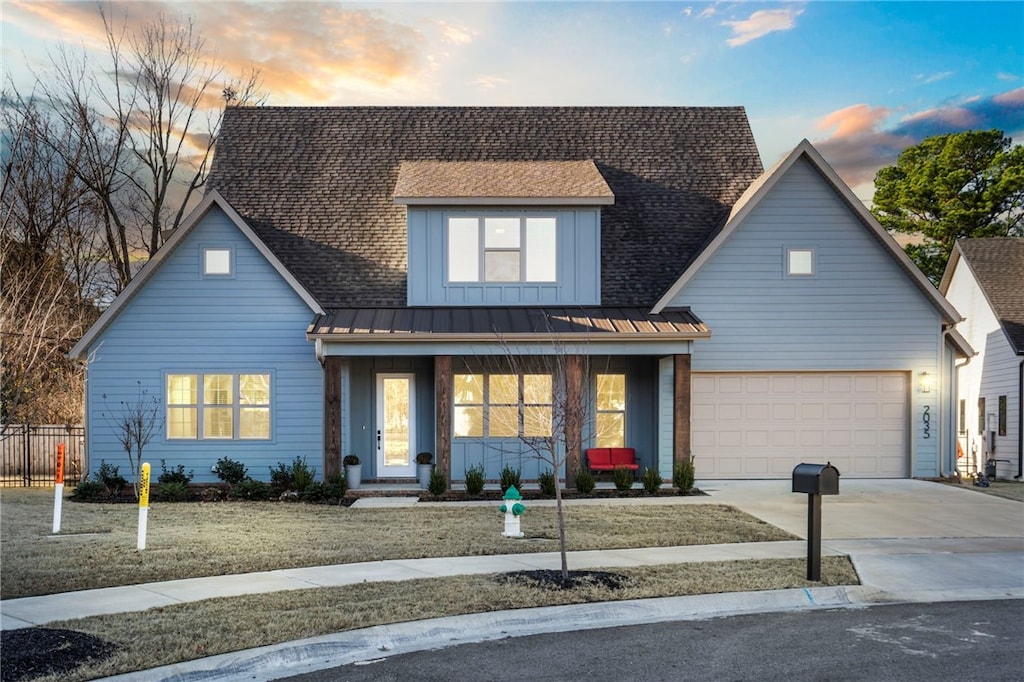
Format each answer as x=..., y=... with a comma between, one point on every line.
x=33, y=653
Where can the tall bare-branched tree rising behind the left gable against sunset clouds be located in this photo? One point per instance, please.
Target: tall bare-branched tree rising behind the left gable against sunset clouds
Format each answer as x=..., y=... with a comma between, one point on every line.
x=144, y=129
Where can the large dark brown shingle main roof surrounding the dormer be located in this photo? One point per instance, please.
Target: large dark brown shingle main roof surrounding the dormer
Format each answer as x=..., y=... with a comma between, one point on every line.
x=318, y=185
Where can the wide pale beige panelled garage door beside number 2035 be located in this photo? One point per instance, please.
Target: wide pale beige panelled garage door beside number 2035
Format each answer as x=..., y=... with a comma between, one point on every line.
x=762, y=425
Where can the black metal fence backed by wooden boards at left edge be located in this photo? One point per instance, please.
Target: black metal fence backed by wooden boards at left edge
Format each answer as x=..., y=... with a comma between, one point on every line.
x=29, y=454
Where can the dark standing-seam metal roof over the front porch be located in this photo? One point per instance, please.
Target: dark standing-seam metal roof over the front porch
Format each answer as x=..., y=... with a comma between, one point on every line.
x=452, y=324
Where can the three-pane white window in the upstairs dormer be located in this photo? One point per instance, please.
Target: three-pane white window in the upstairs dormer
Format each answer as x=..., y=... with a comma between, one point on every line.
x=502, y=249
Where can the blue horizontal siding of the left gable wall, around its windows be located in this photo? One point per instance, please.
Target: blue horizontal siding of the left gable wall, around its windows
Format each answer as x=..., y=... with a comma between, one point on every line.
x=181, y=322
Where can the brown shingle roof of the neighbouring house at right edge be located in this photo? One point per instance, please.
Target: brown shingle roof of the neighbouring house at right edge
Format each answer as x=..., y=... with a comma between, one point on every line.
x=998, y=264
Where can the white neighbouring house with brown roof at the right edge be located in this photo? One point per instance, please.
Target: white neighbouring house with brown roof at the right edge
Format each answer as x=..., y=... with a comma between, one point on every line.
x=985, y=280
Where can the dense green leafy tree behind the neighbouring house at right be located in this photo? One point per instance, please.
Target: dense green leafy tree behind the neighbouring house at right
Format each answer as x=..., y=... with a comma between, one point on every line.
x=953, y=187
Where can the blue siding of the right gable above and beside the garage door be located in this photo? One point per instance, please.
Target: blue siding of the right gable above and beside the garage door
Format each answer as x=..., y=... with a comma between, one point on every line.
x=860, y=311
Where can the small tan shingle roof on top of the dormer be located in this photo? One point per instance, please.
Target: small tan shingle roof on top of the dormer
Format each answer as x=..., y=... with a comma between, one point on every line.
x=538, y=182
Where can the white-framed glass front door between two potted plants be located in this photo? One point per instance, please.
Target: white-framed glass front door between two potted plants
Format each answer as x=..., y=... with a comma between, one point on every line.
x=396, y=425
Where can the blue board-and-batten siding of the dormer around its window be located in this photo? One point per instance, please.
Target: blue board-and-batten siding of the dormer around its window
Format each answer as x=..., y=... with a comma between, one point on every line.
x=579, y=263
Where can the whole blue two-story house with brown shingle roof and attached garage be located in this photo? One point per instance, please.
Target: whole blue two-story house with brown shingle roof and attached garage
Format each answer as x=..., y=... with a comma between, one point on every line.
x=386, y=281
